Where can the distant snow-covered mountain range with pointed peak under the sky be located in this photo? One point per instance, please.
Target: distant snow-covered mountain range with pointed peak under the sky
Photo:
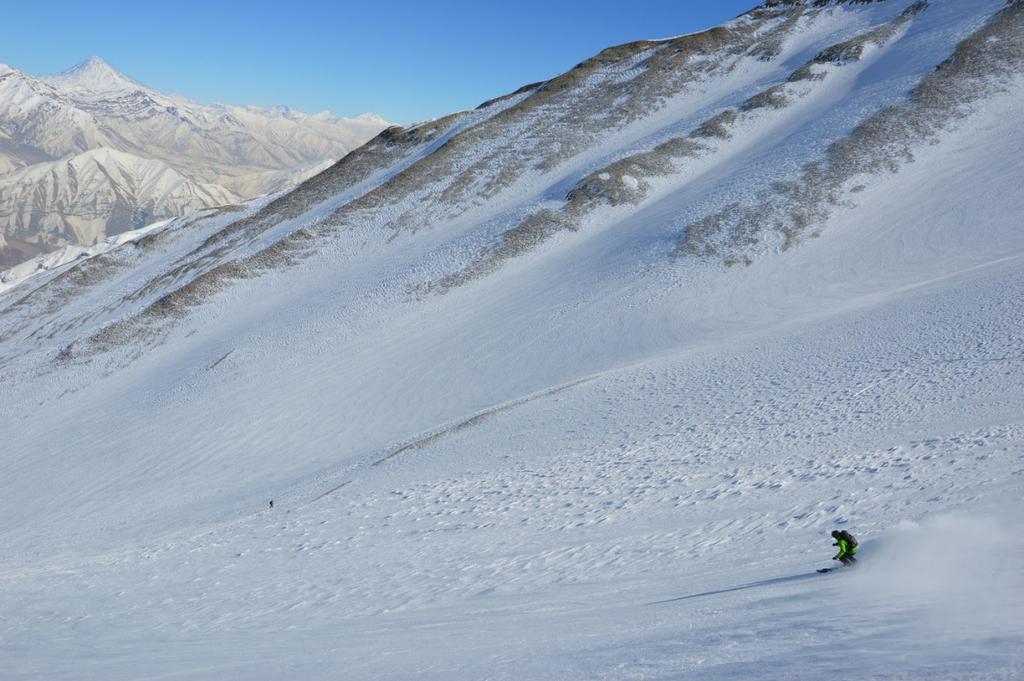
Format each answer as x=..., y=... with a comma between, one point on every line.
x=92, y=153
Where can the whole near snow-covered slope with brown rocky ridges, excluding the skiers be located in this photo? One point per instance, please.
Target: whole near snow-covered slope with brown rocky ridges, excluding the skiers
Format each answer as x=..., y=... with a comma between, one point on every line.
x=570, y=387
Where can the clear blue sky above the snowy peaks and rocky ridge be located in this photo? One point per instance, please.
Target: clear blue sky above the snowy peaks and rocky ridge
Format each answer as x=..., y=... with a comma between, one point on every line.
x=406, y=61
